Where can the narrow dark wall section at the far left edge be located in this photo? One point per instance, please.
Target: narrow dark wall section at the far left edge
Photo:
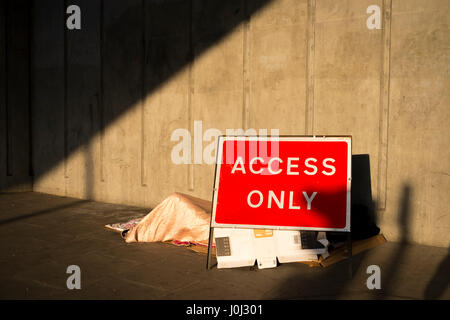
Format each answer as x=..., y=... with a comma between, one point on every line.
x=15, y=174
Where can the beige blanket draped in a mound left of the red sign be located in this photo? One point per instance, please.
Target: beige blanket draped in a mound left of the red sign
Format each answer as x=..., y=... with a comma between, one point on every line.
x=179, y=217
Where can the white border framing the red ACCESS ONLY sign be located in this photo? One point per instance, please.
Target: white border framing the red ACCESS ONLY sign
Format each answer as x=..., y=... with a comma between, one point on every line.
x=221, y=139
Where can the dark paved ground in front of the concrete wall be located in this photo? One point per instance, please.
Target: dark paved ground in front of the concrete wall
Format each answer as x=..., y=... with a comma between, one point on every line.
x=41, y=235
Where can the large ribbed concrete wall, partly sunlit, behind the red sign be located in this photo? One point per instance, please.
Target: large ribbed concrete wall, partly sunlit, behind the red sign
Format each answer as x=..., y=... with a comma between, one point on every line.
x=106, y=98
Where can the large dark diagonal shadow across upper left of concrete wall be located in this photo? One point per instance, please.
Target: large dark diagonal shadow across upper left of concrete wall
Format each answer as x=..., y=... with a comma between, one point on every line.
x=81, y=81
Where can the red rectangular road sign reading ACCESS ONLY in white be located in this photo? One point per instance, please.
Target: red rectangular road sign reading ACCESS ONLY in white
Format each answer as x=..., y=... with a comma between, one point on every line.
x=298, y=183
